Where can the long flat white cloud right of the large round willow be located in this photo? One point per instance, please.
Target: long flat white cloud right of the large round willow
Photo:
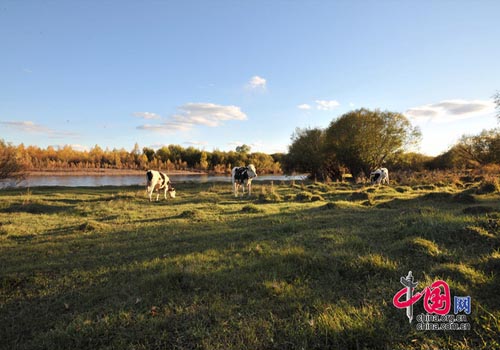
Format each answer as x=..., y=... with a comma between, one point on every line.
x=451, y=110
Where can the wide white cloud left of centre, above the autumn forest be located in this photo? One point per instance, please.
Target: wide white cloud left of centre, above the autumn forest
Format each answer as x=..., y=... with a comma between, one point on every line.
x=192, y=114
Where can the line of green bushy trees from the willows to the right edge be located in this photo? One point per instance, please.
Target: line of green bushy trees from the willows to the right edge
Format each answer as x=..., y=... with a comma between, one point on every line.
x=362, y=140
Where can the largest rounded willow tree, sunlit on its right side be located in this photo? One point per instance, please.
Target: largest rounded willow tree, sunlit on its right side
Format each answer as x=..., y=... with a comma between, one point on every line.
x=364, y=139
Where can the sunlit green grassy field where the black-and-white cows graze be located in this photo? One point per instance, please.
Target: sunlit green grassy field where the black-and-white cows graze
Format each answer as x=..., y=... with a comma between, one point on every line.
x=297, y=266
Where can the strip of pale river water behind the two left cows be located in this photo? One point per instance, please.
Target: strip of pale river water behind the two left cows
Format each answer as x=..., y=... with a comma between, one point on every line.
x=128, y=180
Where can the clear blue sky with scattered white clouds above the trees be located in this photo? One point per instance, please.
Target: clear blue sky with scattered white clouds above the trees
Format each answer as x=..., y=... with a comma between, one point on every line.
x=216, y=74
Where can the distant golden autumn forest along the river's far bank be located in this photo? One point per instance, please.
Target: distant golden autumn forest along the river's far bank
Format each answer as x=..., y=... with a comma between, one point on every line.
x=168, y=158
